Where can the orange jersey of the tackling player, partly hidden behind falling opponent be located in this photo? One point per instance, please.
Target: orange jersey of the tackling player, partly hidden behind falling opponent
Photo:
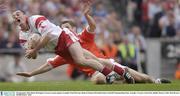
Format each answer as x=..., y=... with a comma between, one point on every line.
x=87, y=42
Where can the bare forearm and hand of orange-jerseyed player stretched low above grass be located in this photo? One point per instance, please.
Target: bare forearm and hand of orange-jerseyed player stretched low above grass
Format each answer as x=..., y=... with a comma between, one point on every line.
x=42, y=69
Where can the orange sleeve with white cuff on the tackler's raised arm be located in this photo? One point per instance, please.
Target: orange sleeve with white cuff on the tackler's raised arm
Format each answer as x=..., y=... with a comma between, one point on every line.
x=87, y=36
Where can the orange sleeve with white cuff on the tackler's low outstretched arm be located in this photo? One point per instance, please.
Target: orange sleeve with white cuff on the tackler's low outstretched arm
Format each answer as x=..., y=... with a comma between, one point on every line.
x=56, y=61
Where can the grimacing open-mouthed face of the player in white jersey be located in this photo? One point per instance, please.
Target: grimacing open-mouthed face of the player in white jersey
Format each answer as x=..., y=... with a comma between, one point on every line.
x=19, y=19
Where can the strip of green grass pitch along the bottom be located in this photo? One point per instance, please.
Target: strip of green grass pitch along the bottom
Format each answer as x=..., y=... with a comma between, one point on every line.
x=87, y=86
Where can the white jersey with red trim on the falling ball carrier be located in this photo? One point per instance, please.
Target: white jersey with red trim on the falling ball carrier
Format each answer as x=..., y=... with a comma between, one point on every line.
x=39, y=24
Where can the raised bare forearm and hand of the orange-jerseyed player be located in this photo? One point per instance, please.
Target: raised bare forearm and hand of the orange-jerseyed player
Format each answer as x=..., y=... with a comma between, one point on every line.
x=90, y=20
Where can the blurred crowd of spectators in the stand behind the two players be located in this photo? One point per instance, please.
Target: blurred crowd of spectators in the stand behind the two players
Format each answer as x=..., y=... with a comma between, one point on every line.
x=123, y=26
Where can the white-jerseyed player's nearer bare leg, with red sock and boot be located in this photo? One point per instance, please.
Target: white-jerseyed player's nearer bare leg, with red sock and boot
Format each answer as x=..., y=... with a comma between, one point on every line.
x=78, y=56
